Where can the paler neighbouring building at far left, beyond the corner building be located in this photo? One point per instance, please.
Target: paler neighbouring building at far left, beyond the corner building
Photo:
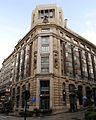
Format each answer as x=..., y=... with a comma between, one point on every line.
x=6, y=77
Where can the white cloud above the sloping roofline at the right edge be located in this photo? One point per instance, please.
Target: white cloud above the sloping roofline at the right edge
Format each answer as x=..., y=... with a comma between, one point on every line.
x=87, y=26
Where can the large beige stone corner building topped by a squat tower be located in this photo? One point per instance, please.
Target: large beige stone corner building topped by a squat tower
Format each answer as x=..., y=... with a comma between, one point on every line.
x=55, y=64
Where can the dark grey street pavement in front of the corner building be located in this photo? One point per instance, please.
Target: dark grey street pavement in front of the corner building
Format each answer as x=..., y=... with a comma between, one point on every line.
x=61, y=116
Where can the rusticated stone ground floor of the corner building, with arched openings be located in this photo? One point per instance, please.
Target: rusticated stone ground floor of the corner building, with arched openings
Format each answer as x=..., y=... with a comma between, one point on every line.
x=53, y=92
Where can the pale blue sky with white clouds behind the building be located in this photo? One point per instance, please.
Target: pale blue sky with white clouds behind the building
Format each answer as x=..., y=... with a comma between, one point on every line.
x=15, y=20
